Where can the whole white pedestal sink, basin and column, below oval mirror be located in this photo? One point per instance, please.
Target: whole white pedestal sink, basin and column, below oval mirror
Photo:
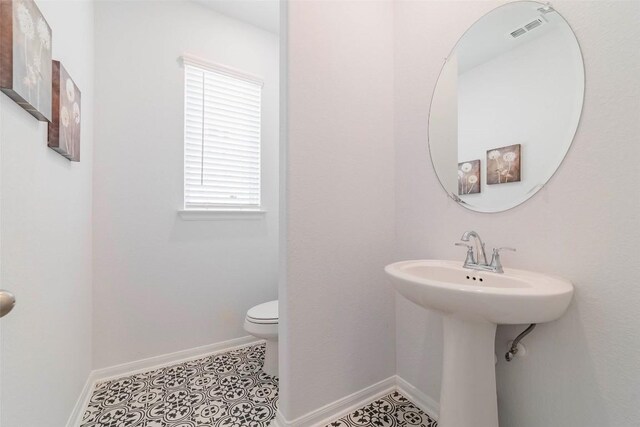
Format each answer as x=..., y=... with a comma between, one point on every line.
x=473, y=303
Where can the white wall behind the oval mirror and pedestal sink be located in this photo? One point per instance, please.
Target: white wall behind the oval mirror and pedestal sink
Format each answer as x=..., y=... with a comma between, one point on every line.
x=581, y=370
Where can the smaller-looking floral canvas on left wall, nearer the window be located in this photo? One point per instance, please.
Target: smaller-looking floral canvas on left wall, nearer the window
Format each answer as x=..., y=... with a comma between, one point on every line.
x=64, y=128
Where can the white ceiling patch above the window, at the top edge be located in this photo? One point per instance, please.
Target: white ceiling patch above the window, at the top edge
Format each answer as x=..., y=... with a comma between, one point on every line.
x=263, y=14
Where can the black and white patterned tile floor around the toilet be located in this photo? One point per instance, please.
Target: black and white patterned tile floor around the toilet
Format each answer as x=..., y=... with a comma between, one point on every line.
x=222, y=390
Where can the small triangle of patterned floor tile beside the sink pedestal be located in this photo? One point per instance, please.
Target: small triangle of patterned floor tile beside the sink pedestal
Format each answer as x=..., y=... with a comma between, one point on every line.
x=393, y=410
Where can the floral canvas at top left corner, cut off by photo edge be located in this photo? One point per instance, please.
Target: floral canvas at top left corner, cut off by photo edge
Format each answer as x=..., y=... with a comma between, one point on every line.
x=25, y=57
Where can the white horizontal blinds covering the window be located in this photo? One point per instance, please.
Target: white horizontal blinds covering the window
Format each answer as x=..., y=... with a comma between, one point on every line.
x=222, y=139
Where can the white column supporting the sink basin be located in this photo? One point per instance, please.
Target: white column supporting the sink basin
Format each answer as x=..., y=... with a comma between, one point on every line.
x=468, y=396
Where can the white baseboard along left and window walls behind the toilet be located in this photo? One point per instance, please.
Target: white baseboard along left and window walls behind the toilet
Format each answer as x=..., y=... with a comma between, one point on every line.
x=130, y=368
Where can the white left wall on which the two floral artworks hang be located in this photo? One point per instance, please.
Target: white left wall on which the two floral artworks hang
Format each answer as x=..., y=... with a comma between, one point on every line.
x=46, y=243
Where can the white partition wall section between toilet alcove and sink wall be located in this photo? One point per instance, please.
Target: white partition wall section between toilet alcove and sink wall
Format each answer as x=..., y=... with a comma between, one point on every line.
x=337, y=303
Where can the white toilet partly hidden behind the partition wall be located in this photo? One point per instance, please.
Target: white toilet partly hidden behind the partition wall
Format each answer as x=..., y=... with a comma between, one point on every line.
x=262, y=322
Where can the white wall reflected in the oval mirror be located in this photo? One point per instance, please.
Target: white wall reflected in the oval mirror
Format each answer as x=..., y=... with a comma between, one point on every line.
x=539, y=108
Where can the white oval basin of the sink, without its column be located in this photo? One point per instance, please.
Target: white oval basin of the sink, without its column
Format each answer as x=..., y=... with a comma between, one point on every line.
x=514, y=297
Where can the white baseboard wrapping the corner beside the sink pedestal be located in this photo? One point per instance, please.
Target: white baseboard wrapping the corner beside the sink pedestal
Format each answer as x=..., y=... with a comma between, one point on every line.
x=348, y=404
